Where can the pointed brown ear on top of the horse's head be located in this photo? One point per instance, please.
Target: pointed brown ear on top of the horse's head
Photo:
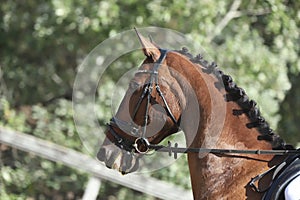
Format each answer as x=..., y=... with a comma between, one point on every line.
x=150, y=49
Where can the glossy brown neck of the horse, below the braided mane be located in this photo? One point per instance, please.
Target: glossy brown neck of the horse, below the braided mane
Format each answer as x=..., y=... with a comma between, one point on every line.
x=218, y=177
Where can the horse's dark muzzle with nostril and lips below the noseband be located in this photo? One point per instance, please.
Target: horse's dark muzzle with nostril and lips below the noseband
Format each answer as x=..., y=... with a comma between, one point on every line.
x=118, y=159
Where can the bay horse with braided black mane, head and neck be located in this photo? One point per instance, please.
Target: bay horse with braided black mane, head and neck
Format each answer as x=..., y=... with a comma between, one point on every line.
x=170, y=79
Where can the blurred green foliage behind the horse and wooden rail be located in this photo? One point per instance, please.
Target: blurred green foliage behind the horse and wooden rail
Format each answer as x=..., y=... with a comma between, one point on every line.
x=43, y=42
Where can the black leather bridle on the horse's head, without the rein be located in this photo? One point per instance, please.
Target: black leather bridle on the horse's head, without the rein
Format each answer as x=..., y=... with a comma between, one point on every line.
x=141, y=144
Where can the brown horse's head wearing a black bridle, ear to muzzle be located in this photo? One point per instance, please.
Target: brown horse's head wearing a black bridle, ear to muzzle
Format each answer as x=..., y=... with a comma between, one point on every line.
x=149, y=112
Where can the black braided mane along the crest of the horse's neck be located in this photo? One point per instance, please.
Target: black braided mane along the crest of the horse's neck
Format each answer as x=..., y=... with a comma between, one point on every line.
x=238, y=95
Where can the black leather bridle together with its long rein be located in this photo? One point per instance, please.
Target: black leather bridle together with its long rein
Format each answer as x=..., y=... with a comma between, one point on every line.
x=141, y=143
